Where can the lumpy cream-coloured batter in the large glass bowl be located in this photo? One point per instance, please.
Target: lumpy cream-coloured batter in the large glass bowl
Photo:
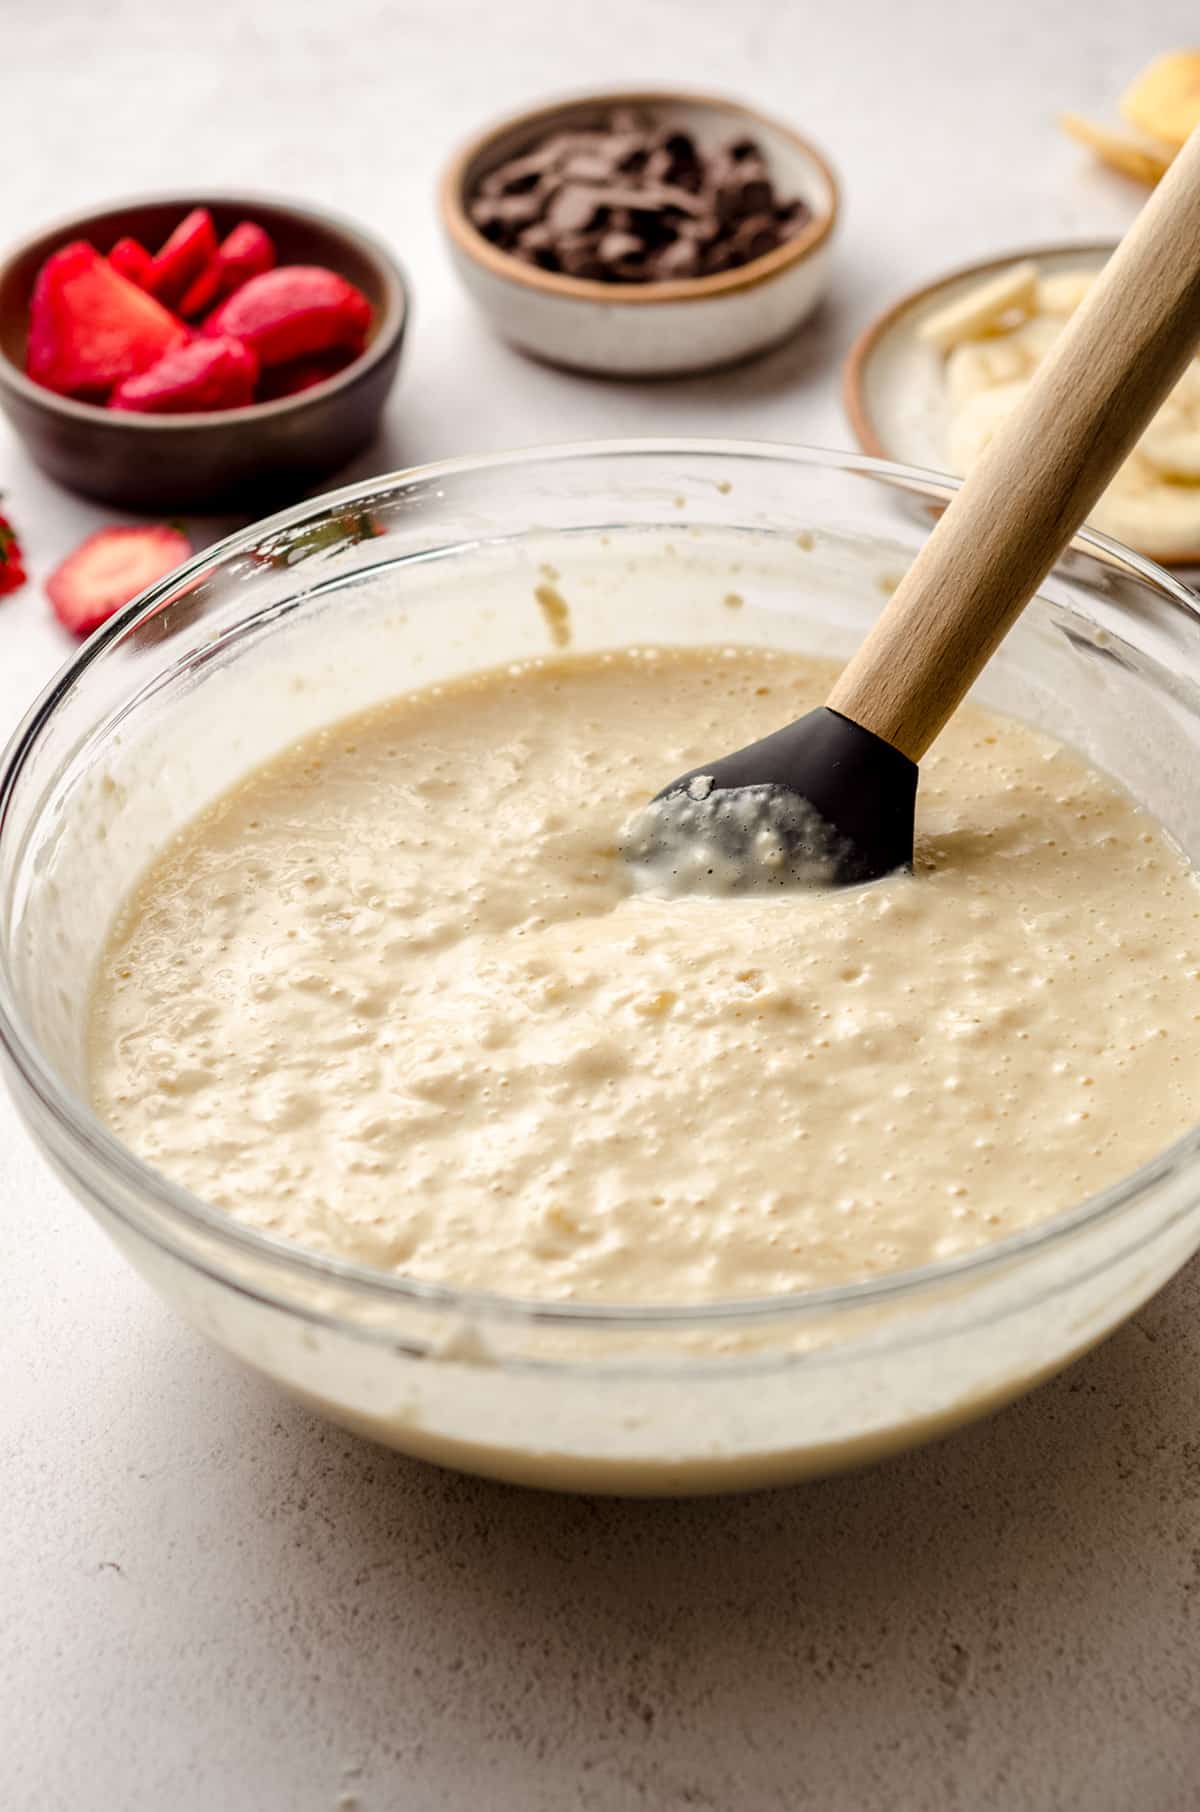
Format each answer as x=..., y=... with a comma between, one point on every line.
x=394, y=999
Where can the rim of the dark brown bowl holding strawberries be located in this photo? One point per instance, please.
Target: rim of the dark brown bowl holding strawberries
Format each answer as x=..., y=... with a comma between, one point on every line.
x=392, y=323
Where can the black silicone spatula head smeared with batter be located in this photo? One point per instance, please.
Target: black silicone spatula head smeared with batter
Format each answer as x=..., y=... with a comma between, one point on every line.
x=818, y=804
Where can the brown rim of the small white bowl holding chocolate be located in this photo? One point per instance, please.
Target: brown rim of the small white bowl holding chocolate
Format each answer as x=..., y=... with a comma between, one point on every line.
x=469, y=238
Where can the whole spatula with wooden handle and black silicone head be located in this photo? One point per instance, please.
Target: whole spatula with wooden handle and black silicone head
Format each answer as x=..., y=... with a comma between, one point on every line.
x=831, y=798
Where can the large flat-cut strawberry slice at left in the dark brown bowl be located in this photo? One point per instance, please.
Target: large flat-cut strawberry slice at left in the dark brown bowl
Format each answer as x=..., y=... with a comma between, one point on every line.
x=90, y=327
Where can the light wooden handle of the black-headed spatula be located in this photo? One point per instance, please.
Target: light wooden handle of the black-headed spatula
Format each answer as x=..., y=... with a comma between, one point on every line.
x=1040, y=477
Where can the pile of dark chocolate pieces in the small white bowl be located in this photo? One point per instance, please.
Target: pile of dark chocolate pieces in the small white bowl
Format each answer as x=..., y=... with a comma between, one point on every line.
x=635, y=202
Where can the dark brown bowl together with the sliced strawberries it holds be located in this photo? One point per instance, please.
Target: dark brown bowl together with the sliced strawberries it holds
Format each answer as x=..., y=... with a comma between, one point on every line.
x=193, y=439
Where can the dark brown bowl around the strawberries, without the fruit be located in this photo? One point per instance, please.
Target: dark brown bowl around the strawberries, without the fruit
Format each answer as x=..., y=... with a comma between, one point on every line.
x=229, y=459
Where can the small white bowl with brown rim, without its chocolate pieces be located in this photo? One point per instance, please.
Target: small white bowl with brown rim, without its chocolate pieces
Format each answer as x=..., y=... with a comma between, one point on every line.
x=648, y=329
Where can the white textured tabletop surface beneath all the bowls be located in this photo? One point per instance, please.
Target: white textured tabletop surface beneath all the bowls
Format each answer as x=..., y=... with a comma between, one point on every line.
x=213, y=1601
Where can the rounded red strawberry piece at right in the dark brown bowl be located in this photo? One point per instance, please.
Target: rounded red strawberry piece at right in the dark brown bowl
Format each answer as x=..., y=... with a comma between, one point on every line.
x=293, y=313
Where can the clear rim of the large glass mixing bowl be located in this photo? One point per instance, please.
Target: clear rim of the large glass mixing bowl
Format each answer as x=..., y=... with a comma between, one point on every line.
x=166, y=1204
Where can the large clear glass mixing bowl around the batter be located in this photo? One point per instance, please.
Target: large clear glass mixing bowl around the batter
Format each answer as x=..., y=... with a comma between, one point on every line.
x=405, y=581
